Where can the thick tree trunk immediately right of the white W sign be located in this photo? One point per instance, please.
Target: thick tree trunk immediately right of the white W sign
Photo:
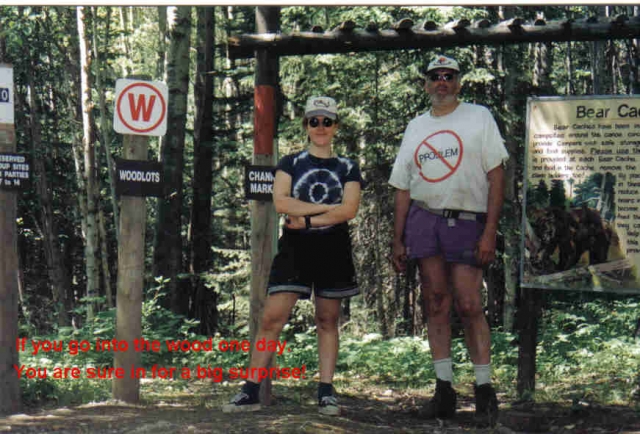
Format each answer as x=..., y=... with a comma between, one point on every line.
x=168, y=236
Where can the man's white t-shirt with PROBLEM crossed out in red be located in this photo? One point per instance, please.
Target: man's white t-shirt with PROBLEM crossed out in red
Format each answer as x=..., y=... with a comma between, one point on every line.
x=444, y=160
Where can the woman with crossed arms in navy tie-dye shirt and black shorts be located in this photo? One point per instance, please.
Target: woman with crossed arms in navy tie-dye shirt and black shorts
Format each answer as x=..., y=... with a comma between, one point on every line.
x=319, y=193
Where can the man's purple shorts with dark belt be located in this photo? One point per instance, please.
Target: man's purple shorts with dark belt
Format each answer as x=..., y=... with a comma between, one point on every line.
x=427, y=234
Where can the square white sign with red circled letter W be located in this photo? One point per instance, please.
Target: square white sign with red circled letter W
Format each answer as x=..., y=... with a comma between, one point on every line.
x=141, y=107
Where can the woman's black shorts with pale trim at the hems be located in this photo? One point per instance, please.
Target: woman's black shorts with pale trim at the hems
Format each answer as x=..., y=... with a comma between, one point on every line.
x=320, y=261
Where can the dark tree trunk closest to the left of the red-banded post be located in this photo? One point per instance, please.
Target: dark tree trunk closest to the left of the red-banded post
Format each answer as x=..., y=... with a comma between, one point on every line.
x=204, y=304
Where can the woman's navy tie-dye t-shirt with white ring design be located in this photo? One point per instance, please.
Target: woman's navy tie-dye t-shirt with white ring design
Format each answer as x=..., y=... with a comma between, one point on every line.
x=319, y=180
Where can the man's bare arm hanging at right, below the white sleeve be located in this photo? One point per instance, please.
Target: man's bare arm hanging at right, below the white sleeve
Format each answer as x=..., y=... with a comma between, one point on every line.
x=486, y=250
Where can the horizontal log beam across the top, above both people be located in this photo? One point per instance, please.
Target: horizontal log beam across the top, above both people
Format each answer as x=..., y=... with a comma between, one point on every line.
x=349, y=38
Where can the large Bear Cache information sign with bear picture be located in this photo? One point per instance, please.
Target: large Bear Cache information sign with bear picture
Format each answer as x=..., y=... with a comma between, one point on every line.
x=581, y=218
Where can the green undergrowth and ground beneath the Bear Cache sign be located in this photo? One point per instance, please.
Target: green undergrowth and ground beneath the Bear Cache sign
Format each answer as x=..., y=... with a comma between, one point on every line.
x=590, y=343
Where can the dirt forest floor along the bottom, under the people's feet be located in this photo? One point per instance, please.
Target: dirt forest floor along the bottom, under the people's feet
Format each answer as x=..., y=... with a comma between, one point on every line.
x=194, y=407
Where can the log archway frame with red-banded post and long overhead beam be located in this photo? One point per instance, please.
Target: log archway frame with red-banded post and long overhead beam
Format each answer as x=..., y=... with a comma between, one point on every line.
x=268, y=44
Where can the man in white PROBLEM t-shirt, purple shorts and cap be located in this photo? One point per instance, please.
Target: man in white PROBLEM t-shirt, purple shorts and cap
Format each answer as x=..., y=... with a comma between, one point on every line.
x=449, y=180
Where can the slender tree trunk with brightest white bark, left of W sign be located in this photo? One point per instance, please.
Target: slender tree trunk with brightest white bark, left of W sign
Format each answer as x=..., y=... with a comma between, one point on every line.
x=91, y=182
